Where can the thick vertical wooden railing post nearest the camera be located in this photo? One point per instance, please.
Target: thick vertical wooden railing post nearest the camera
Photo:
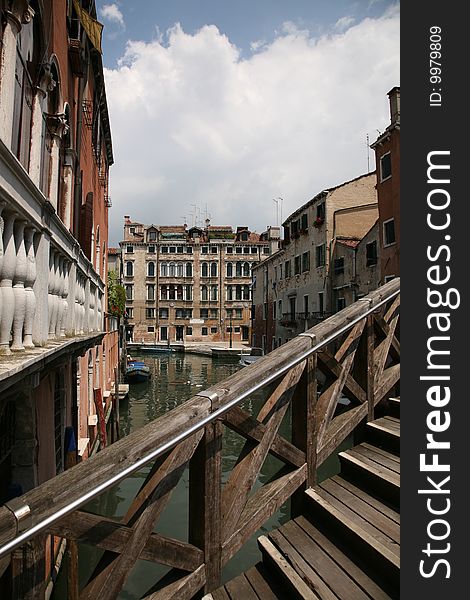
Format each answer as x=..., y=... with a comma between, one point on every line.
x=205, y=479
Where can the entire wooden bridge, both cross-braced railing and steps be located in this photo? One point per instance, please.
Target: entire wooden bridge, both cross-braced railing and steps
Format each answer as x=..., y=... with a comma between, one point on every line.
x=343, y=539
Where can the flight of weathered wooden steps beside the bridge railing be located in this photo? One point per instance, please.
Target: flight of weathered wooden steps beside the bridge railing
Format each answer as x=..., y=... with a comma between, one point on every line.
x=346, y=545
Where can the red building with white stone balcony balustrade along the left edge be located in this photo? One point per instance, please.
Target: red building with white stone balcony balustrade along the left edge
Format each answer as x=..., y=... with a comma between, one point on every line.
x=58, y=352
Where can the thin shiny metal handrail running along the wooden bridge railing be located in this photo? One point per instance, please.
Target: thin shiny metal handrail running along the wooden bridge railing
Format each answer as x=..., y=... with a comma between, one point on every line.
x=74, y=505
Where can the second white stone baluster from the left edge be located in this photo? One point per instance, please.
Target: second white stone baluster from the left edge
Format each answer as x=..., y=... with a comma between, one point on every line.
x=21, y=271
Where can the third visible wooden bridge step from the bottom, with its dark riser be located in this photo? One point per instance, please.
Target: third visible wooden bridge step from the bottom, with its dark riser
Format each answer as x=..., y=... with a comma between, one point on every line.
x=362, y=531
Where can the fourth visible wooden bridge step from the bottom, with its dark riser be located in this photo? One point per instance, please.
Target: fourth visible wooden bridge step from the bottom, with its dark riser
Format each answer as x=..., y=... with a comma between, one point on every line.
x=373, y=471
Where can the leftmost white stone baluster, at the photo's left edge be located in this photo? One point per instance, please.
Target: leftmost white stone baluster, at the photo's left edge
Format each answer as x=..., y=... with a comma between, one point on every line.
x=6, y=283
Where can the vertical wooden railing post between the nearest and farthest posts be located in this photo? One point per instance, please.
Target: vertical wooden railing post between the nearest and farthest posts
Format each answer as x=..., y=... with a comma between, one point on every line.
x=303, y=427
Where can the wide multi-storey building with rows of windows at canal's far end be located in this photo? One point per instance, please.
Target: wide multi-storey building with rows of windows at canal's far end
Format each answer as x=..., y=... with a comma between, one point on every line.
x=191, y=285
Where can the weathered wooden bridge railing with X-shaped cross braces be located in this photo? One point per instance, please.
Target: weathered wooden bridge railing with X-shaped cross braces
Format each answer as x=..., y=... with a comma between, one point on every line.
x=354, y=354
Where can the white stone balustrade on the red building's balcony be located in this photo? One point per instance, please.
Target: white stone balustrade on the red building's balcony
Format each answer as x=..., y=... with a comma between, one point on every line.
x=48, y=287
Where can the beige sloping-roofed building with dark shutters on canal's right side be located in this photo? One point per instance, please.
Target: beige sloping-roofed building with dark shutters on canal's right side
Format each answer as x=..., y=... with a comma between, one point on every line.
x=295, y=288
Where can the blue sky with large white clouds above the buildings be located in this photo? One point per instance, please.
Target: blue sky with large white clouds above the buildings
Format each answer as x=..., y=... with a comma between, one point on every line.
x=220, y=107
